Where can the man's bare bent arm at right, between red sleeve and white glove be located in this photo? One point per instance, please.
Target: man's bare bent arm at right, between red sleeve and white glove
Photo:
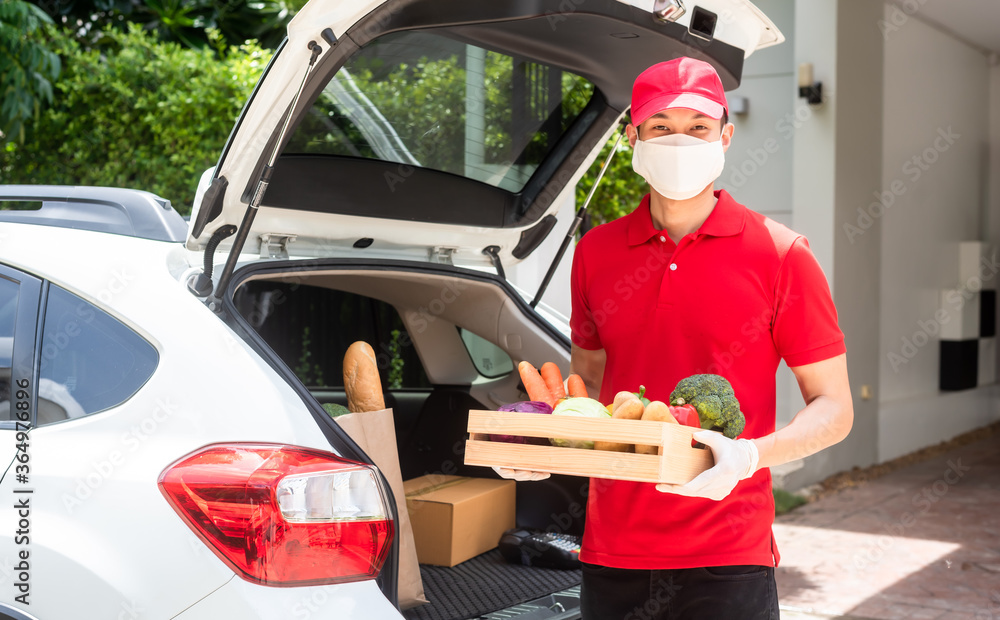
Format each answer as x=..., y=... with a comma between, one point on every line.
x=826, y=419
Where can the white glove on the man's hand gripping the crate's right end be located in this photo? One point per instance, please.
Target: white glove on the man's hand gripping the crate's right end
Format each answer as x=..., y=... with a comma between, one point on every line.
x=735, y=460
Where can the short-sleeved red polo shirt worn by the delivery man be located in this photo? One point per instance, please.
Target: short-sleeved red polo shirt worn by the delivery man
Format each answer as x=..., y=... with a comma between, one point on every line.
x=733, y=298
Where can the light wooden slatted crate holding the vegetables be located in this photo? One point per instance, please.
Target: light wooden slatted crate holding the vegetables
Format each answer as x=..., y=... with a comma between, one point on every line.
x=676, y=461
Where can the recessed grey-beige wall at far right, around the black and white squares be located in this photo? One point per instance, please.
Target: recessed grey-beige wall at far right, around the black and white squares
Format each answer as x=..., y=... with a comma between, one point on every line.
x=934, y=188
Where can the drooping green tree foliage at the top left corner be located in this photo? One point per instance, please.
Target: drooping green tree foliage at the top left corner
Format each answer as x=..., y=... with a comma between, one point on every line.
x=27, y=66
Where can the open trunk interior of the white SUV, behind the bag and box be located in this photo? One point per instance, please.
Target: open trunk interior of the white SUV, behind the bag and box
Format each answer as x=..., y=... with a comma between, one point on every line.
x=447, y=340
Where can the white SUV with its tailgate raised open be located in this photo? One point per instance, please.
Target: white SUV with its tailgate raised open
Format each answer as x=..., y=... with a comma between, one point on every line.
x=162, y=381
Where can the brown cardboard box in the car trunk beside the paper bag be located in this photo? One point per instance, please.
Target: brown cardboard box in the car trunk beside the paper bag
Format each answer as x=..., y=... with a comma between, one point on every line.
x=456, y=518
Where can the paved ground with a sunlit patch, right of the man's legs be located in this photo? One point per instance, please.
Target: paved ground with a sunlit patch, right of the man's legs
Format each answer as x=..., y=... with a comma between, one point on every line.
x=922, y=542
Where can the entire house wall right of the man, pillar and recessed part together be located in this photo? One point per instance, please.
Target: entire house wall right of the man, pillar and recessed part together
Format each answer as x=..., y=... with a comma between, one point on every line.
x=889, y=229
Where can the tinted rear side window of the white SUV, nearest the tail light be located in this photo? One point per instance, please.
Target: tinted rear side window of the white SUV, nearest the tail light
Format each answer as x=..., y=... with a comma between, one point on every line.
x=89, y=360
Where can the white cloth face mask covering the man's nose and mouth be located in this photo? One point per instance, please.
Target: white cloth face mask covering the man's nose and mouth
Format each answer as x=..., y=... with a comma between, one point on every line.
x=678, y=166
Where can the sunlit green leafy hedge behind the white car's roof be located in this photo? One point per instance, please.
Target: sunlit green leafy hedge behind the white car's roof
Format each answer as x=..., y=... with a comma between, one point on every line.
x=142, y=114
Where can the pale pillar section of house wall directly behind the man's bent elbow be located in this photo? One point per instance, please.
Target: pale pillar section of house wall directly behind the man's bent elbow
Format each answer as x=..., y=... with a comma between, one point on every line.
x=837, y=164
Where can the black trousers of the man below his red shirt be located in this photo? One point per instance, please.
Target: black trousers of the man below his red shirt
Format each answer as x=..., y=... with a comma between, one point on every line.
x=716, y=593
